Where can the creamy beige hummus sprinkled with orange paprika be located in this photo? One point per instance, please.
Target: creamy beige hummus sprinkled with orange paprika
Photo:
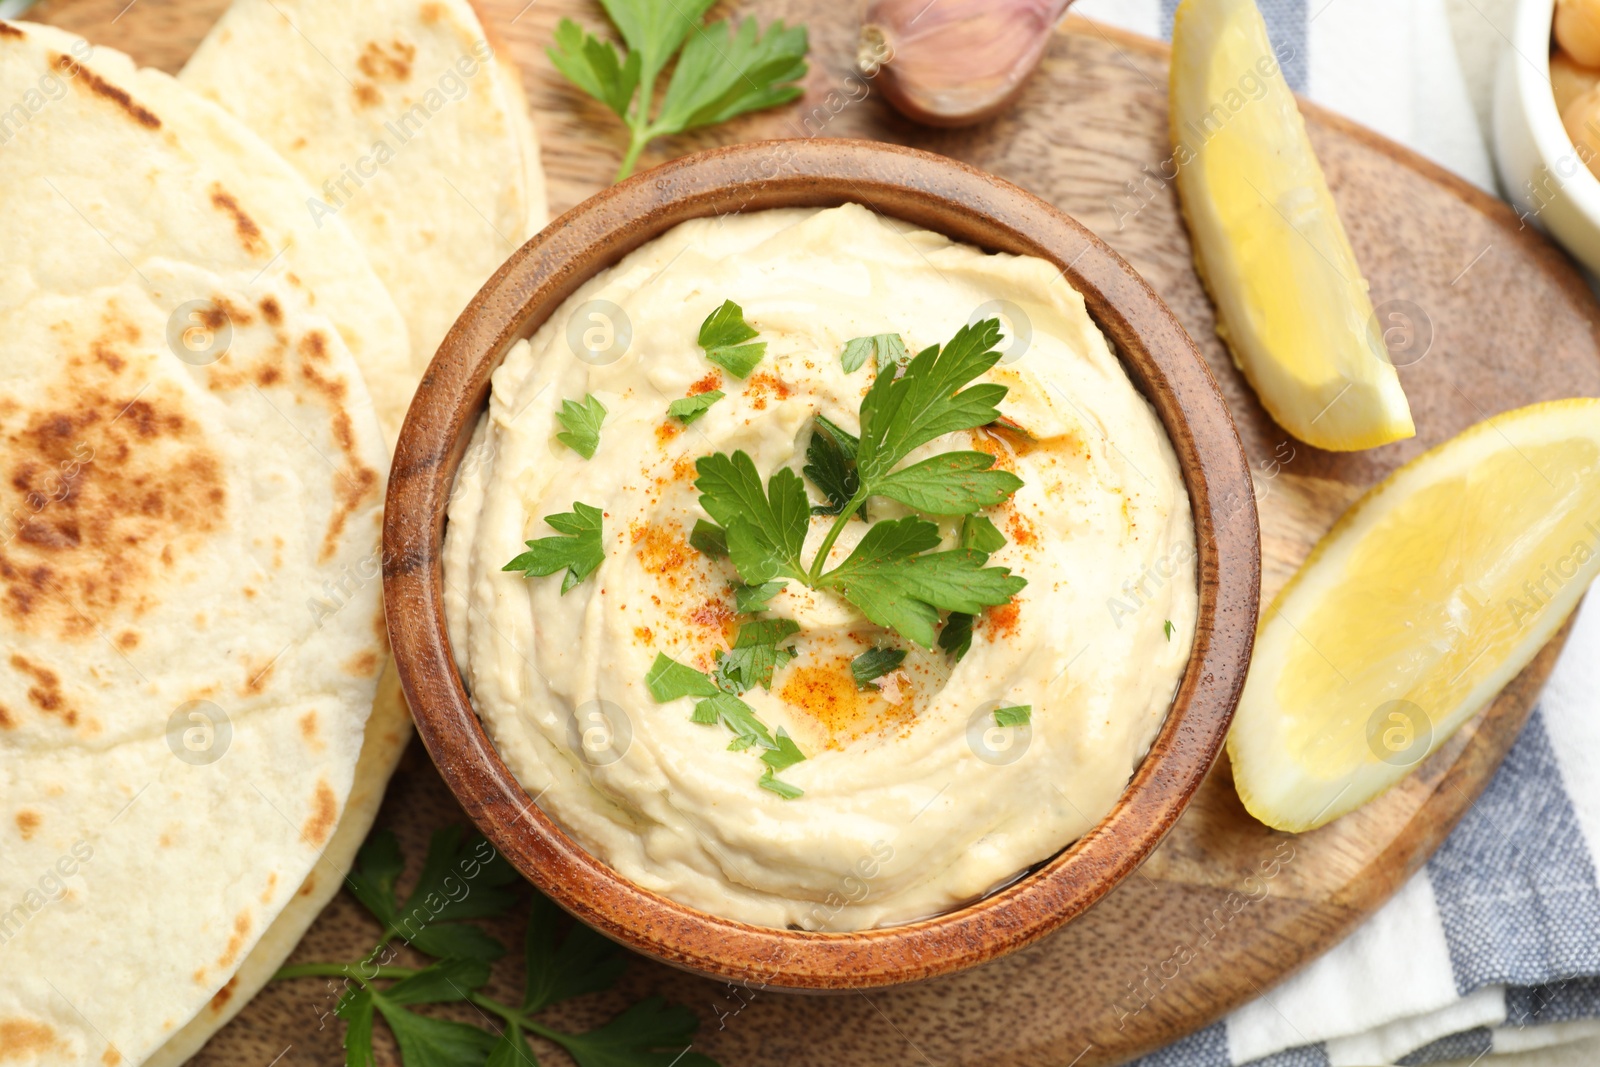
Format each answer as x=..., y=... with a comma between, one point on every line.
x=916, y=801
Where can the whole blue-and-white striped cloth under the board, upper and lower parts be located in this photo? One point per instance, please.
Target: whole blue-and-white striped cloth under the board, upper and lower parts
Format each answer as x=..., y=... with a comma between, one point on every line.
x=1495, y=946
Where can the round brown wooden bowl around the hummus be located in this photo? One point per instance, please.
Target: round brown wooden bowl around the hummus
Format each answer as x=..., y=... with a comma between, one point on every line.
x=970, y=207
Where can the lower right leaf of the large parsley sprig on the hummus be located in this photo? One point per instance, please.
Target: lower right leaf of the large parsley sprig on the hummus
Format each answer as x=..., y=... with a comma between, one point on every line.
x=903, y=591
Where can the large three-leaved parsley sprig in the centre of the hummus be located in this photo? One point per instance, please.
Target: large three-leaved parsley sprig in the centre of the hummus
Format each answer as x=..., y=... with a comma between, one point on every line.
x=892, y=577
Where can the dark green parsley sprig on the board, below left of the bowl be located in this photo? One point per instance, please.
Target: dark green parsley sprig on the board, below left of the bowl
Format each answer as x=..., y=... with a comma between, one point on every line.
x=465, y=879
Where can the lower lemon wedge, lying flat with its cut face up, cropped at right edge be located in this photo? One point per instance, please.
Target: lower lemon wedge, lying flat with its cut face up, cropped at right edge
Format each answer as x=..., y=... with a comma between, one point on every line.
x=1418, y=607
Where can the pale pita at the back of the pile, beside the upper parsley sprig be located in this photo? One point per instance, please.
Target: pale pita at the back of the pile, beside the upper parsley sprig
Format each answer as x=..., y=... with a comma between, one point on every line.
x=406, y=122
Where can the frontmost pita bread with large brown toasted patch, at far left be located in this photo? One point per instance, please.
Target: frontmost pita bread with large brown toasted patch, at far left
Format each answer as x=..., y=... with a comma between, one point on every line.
x=188, y=567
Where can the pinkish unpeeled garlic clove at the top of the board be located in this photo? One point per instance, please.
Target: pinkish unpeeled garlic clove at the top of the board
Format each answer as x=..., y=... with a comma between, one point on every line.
x=953, y=63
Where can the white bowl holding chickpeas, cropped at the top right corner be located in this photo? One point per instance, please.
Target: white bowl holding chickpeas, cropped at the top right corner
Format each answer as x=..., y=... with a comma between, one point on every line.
x=1538, y=166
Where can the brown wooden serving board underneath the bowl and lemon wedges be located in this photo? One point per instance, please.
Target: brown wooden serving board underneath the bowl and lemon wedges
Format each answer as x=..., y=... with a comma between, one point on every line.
x=1500, y=319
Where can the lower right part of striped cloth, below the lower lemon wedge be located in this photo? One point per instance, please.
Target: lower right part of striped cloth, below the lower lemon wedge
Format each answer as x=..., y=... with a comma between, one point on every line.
x=1492, y=948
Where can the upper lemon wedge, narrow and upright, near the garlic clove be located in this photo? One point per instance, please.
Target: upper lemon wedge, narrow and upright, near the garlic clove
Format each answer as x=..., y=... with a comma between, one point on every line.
x=1290, y=298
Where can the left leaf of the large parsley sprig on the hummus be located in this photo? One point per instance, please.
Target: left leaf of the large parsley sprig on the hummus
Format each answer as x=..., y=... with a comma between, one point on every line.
x=767, y=530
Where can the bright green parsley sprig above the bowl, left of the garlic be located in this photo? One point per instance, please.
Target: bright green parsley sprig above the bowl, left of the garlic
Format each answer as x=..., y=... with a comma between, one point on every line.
x=722, y=71
